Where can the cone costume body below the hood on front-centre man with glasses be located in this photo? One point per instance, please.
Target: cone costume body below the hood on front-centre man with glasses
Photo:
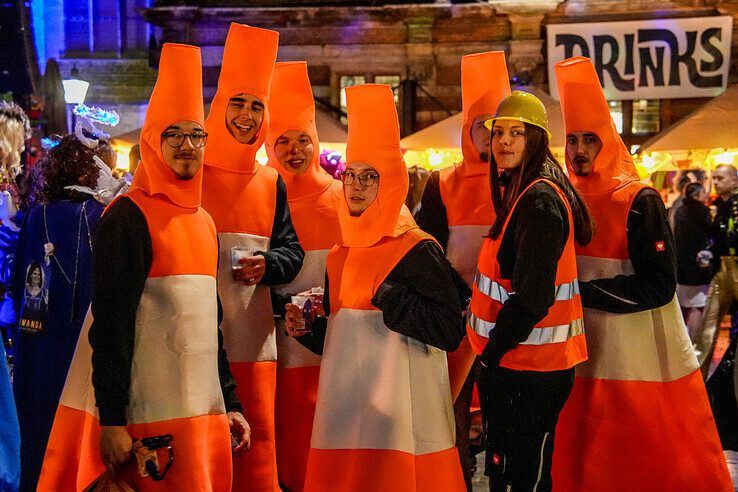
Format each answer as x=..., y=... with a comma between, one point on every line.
x=384, y=419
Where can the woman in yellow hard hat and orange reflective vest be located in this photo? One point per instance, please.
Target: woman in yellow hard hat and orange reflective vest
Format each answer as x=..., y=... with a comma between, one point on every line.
x=526, y=314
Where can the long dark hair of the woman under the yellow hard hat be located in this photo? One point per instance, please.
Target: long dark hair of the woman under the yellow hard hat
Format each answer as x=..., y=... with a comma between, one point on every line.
x=537, y=162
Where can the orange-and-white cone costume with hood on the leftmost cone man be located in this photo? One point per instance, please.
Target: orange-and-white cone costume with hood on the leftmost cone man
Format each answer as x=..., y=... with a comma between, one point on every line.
x=176, y=327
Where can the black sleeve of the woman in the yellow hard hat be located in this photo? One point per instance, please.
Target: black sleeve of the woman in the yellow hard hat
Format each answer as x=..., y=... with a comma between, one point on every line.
x=539, y=235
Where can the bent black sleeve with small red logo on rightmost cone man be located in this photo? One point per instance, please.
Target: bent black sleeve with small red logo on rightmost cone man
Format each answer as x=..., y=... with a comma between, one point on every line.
x=652, y=253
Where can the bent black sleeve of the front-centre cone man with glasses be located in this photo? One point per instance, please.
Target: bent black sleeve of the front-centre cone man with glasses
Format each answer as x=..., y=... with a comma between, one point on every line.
x=418, y=298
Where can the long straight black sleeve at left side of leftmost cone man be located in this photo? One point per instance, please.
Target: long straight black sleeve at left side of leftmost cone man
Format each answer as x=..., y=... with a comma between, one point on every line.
x=120, y=265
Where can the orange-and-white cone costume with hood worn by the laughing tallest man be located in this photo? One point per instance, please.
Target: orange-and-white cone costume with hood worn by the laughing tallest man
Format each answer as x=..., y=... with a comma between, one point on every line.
x=241, y=196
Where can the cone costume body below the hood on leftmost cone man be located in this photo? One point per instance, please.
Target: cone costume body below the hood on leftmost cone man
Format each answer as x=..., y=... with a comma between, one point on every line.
x=175, y=387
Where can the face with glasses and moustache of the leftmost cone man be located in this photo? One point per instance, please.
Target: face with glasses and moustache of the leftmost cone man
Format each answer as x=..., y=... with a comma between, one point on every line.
x=184, y=159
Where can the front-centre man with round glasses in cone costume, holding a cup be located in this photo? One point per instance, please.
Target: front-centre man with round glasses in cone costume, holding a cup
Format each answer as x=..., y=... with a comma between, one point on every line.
x=384, y=419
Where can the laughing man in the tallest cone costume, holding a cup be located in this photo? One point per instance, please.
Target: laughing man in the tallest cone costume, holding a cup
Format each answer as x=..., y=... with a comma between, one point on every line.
x=248, y=203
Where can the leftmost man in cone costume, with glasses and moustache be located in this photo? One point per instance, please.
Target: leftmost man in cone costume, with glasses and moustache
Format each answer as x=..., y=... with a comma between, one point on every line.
x=157, y=362
